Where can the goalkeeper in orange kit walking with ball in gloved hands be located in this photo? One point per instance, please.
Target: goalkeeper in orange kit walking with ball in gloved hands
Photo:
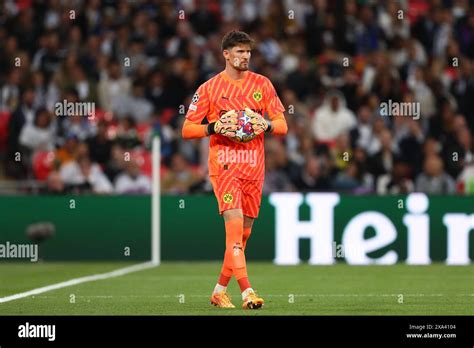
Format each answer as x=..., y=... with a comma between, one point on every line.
x=237, y=186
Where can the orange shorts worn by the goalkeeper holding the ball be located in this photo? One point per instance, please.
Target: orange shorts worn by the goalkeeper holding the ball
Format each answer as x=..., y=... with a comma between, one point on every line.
x=235, y=193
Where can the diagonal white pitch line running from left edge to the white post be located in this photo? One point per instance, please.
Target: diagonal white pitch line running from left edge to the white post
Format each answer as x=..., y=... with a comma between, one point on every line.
x=117, y=273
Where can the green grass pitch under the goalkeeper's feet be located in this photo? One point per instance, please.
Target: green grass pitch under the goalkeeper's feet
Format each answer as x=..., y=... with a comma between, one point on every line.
x=183, y=288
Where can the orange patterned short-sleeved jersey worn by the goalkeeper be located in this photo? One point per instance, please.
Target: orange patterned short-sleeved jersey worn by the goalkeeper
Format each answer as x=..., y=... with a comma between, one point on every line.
x=221, y=94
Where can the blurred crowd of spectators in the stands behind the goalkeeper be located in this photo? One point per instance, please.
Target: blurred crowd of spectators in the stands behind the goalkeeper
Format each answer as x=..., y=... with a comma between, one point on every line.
x=333, y=63
